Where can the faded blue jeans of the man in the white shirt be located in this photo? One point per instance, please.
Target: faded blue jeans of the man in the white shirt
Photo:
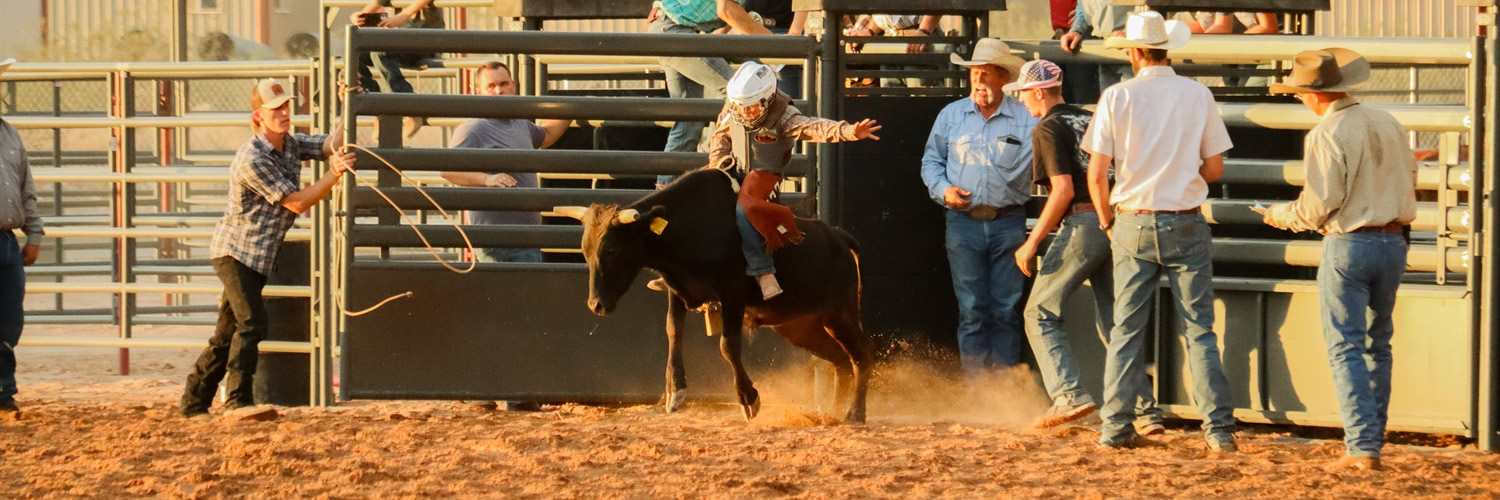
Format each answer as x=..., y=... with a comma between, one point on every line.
x=1148, y=247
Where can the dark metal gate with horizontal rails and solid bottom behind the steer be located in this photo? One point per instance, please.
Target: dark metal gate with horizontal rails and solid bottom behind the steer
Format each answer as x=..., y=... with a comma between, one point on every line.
x=514, y=331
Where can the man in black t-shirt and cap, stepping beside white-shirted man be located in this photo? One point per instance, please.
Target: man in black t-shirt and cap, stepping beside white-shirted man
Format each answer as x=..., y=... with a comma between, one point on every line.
x=1081, y=250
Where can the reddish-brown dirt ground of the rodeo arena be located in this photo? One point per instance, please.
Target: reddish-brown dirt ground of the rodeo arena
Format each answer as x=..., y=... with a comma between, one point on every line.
x=88, y=432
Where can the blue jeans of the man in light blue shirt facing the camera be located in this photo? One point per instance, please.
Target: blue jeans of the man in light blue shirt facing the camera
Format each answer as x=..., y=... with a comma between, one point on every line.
x=988, y=285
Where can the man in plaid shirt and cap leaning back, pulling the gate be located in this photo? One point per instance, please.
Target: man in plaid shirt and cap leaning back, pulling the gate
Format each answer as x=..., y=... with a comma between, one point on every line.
x=266, y=196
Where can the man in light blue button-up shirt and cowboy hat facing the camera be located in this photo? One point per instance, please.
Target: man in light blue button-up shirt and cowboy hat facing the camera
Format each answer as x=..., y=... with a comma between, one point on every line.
x=979, y=167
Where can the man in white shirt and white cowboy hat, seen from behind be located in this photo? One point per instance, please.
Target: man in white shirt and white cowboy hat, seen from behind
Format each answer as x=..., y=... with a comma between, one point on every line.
x=1168, y=143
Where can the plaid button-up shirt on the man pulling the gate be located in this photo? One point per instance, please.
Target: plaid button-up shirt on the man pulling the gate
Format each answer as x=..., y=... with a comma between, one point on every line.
x=254, y=223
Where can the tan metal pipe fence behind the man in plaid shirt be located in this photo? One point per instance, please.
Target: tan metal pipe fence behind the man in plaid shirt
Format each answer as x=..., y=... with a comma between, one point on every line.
x=145, y=205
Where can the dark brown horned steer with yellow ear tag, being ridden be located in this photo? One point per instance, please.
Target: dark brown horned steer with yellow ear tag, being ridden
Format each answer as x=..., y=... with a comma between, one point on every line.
x=686, y=232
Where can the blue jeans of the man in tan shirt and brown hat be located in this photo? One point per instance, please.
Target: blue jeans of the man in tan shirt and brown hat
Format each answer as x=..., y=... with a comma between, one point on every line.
x=1361, y=271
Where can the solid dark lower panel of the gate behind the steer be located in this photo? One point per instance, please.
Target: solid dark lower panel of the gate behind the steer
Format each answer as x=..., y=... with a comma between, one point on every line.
x=523, y=333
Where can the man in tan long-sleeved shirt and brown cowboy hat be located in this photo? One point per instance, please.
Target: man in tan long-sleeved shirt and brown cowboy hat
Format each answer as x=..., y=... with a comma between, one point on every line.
x=1360, y=193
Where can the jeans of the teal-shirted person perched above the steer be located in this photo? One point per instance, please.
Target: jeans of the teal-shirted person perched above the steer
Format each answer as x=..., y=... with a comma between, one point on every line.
x=689, y=77
